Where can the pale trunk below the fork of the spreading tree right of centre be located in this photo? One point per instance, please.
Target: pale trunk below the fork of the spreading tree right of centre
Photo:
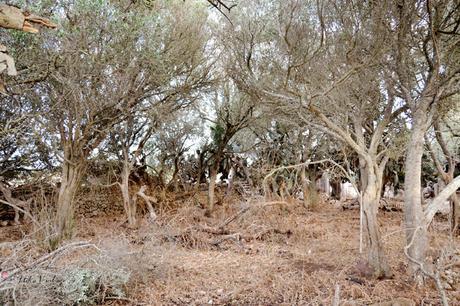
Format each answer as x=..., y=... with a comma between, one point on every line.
x=371, y=198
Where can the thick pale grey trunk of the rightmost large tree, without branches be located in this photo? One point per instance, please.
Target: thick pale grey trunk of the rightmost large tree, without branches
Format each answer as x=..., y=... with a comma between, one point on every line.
x=416, y=232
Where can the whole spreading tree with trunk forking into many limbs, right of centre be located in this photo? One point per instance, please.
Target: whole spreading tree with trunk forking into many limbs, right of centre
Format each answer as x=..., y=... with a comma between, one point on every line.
x=322, y=63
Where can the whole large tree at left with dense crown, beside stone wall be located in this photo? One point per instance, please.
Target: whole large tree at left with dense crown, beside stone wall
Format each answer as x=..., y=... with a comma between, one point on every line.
x=102, y=69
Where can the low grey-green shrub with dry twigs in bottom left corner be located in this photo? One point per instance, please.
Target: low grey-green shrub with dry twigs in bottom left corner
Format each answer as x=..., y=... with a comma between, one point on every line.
x=82, y=283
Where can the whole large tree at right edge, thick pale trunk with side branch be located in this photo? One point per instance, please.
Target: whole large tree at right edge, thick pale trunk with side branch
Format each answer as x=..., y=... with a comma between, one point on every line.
x=426, y=70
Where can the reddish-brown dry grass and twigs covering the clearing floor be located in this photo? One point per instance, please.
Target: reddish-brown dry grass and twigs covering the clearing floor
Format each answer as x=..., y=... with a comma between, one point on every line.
x=278, y=254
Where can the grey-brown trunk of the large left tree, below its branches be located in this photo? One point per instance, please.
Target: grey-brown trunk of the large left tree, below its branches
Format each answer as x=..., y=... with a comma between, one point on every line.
x=72, y=171
